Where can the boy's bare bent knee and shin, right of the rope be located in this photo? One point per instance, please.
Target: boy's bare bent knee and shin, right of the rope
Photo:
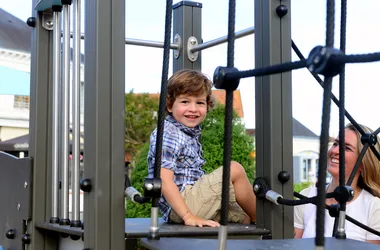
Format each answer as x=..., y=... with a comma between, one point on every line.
x=245, y=196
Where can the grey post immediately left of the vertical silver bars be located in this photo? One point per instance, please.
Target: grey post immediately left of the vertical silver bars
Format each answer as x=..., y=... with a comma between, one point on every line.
x=40, y=132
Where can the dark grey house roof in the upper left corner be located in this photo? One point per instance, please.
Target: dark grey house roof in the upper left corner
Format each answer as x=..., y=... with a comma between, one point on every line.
x=14, y=33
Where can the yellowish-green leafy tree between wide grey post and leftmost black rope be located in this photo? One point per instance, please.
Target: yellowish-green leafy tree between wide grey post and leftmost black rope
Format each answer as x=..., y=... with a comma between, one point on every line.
x=140, y=120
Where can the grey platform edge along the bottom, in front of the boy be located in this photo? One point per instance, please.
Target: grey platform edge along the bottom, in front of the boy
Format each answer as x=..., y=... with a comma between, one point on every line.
x=289, y=244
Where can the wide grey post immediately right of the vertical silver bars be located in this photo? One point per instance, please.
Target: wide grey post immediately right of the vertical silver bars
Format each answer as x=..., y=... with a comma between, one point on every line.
x=104, y=206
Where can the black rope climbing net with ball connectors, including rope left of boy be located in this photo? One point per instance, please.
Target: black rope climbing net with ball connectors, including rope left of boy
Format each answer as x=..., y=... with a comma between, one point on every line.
x=322, y=60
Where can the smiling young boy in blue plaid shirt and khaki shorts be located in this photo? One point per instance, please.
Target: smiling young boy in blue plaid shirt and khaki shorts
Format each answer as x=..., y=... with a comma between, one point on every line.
x=190, y=196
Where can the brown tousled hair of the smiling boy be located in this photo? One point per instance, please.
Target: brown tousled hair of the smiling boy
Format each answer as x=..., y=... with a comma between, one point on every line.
x=189, y=82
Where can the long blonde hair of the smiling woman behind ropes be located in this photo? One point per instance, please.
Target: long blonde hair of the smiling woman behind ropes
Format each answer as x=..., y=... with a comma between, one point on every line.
x=369, y=178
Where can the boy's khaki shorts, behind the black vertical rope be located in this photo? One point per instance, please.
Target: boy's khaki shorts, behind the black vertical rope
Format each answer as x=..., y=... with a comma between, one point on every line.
x=204, y=199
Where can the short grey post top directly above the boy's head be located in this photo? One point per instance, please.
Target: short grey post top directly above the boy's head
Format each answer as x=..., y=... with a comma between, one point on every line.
x=187, y=30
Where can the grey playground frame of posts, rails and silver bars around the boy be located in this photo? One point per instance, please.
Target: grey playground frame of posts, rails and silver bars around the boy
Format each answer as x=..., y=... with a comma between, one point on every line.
x=43, y=186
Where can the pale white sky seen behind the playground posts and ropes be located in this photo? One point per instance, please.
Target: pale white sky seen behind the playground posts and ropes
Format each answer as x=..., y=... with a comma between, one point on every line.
x=145, y=20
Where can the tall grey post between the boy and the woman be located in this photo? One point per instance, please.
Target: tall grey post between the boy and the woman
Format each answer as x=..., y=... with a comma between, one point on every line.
x=273, y=115
